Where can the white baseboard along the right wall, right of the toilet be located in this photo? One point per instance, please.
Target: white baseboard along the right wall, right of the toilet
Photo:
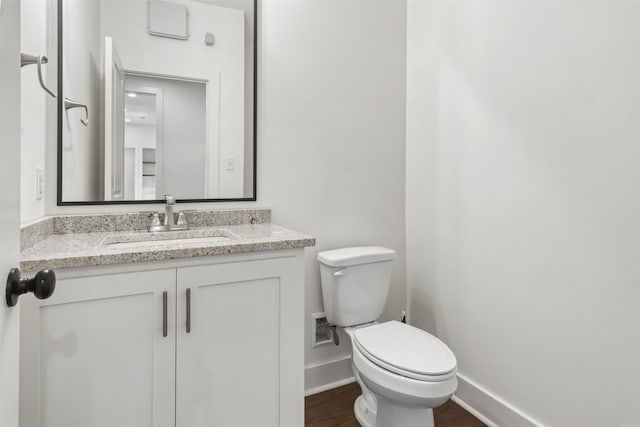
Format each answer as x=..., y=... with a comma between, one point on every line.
x=489, y=408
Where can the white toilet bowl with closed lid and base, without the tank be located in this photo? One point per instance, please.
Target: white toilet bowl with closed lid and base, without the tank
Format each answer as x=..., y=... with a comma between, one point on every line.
x=408, y=371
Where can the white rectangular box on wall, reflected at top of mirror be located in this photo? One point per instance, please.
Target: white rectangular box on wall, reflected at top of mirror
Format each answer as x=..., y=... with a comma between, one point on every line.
x=167, y=19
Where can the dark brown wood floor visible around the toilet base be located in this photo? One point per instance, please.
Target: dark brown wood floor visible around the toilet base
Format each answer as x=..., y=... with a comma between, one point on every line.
x=334, y=408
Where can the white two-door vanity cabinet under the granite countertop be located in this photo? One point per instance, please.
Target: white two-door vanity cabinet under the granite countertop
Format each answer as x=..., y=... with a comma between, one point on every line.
x=96, y=354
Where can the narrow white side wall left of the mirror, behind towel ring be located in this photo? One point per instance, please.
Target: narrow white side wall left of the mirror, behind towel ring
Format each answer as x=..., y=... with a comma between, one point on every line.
x=33, y=41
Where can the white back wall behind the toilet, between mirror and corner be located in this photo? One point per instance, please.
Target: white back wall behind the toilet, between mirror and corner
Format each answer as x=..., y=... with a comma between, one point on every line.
x=331, y=133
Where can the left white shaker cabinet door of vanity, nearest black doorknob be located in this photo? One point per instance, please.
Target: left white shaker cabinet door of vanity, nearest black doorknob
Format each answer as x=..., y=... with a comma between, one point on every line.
x=94, y=354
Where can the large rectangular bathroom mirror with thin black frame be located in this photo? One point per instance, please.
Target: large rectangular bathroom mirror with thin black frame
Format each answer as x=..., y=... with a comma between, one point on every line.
x=156, y=97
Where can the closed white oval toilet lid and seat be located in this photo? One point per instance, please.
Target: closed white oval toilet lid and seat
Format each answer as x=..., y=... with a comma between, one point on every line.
x=406, y=350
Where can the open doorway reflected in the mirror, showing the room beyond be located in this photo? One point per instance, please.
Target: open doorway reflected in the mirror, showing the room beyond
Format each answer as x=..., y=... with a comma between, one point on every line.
x=165, y=136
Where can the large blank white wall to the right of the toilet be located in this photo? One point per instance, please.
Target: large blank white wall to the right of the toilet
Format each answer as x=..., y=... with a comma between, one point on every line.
x=523, y=201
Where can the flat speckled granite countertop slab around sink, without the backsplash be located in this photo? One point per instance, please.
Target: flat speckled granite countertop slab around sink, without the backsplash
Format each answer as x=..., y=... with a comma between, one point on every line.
x=73, y=250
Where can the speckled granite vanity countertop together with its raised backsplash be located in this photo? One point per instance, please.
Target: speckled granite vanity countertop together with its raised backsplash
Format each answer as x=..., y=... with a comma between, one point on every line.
x=122, y=238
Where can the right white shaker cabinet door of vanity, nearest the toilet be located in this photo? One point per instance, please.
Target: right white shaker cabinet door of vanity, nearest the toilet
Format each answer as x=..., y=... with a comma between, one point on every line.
x=241, y=361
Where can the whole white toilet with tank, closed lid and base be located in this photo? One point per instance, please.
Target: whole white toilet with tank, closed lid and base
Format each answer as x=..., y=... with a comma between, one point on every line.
x=404, y=372
